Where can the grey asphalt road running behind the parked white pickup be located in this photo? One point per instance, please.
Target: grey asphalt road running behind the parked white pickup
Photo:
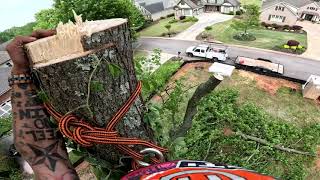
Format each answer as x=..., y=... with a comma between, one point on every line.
x=294, y=66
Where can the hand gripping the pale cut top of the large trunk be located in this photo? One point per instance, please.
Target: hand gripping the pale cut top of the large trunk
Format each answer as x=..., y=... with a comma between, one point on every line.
x=16, y=51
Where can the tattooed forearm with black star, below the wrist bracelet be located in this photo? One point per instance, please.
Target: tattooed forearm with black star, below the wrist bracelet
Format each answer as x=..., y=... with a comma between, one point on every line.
x=37, y=141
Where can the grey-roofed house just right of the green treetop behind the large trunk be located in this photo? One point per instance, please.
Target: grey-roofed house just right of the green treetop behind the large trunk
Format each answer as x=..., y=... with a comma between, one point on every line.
x=155, y=9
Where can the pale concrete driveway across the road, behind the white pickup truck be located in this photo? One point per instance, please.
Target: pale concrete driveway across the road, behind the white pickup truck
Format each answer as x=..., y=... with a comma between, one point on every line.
x=205, y=19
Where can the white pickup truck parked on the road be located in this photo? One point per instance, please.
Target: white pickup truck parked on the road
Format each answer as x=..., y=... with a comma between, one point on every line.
x=206, y=51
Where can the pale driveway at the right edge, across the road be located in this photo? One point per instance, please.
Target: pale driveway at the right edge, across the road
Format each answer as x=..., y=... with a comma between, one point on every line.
x=313, y=31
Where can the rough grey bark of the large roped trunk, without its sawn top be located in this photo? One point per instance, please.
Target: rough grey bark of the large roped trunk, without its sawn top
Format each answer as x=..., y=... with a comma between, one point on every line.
x=66, y=85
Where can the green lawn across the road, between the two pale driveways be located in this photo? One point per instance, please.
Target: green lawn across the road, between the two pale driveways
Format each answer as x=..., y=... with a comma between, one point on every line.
x=266, y=39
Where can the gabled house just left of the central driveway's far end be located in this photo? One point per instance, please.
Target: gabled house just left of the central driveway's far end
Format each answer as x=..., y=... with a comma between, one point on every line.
x=187, y=8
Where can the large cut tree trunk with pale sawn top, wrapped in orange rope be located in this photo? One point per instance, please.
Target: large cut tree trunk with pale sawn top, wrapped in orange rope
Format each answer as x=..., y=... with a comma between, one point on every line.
x=65, y=63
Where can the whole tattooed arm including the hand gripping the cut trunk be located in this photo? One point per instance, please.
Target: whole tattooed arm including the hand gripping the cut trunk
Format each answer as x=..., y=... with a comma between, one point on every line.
x=39, y=144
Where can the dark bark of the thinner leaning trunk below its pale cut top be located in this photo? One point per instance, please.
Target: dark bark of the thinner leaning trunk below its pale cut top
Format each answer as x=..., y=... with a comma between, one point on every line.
x=201, y=91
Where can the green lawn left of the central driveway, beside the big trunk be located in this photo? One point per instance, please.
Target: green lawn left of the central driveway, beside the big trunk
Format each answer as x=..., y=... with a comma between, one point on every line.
x=158, y=28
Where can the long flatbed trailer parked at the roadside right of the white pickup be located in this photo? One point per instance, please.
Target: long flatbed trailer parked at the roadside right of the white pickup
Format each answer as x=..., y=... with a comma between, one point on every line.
x=259, y=65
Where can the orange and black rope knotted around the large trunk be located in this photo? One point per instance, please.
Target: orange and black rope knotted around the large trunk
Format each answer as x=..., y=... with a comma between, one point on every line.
x=84, y=134
